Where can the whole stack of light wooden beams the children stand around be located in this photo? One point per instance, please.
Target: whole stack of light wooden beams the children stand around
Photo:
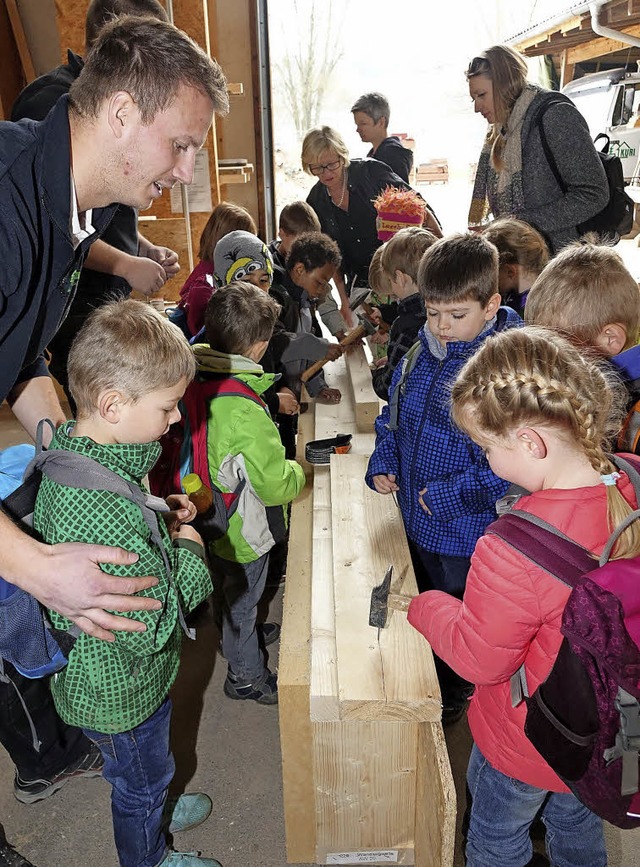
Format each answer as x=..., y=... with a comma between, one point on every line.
x=366, y=775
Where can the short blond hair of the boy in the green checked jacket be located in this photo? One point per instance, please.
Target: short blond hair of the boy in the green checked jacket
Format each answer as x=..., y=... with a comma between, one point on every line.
x=129, y=347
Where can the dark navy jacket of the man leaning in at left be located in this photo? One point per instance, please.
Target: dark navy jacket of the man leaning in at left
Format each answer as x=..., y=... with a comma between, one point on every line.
x=39, y=268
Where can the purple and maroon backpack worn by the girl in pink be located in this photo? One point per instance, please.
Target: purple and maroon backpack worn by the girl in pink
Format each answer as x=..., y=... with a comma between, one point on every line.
x=584, y=719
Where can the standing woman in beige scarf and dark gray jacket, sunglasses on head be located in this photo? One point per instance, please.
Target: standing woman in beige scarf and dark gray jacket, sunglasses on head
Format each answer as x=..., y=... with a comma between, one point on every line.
x=538, y=162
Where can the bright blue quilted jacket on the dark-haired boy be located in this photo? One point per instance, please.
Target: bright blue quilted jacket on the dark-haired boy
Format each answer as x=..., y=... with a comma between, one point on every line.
x=427, y=450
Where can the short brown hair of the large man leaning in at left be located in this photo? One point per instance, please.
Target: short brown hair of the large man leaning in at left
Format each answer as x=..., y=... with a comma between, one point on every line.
x=150, y=60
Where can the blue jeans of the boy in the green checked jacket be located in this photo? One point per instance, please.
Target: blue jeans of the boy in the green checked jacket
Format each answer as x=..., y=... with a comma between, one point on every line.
x=139, y=766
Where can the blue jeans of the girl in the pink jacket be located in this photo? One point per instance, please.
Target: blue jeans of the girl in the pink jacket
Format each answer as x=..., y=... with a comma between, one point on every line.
x=502, y=811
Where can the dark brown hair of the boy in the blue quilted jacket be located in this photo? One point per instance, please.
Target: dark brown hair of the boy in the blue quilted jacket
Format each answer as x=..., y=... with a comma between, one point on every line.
x=459, y=268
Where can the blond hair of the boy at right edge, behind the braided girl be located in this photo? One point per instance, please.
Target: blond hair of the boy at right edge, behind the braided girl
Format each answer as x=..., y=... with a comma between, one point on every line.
x=583, y=289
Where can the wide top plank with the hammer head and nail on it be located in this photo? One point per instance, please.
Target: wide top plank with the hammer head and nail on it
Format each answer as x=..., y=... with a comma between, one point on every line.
x=390, y=676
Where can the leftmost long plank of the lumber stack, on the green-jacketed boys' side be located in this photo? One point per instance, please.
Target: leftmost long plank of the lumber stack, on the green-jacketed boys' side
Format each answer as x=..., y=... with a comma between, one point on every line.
x=294, y=674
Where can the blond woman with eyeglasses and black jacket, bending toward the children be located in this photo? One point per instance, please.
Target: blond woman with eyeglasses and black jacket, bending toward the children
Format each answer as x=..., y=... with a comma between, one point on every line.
x=342, y=199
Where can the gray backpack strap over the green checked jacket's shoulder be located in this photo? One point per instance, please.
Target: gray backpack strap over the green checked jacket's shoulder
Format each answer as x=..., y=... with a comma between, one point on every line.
x=79, y=471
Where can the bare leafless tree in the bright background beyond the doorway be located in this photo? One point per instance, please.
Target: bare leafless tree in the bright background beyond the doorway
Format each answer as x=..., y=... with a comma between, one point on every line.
x=309, y=62
